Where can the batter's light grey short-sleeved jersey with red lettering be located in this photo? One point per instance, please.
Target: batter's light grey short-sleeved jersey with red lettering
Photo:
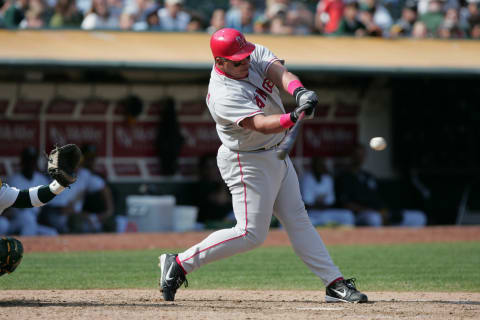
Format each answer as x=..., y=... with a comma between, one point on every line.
x=230, y=101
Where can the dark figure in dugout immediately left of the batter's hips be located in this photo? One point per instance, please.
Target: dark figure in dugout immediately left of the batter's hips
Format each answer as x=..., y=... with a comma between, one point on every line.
x=212, y=197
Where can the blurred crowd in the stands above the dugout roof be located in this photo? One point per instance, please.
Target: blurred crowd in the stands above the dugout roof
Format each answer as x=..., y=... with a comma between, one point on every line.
x=448, y=19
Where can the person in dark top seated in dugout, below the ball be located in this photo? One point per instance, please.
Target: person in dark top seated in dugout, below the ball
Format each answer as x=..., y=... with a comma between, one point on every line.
x=357, y=190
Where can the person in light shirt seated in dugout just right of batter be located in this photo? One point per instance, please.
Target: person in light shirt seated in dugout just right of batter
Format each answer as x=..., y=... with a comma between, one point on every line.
x=318, y=193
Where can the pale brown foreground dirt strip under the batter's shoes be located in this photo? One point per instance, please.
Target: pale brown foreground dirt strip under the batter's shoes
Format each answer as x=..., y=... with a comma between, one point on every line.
x=231, y=304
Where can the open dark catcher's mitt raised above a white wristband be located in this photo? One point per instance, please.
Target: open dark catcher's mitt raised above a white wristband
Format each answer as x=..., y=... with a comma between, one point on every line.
x=63, y=162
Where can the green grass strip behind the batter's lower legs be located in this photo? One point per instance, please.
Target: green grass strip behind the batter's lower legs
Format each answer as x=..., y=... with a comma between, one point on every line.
x=445, y=267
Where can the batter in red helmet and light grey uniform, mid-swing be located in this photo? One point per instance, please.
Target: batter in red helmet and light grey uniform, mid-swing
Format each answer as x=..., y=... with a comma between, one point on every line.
x=244, y=100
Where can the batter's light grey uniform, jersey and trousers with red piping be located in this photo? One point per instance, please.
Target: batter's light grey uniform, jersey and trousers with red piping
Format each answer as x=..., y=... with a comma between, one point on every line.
x=260, y=184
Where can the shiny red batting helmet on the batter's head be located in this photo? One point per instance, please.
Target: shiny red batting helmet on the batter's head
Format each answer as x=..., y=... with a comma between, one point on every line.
x=230, y=44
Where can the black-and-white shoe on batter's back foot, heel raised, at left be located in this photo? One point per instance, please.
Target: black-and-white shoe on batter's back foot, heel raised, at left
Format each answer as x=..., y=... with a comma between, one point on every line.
x=172, y=276
